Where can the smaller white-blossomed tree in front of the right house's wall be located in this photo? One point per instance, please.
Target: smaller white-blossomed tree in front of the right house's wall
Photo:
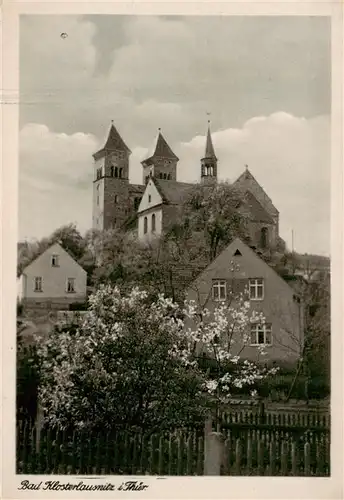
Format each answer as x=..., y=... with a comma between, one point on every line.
x=222, y=336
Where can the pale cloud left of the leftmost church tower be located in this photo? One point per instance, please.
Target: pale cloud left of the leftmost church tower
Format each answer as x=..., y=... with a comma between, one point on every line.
x=55, y=181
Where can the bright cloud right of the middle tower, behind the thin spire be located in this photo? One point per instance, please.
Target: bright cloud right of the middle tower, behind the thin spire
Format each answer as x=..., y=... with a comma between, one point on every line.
x=290, y=158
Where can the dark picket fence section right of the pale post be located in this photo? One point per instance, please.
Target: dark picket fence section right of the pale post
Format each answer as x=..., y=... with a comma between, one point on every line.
x=276, y=444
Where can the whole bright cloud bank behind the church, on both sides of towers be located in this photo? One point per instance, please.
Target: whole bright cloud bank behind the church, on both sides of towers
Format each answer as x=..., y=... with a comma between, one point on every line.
x=288, y=155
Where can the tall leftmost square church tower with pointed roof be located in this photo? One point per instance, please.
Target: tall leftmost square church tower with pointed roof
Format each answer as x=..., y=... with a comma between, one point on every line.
x=111, y=203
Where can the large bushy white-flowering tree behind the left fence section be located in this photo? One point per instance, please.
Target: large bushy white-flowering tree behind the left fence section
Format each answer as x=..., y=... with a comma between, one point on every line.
x=124, y=365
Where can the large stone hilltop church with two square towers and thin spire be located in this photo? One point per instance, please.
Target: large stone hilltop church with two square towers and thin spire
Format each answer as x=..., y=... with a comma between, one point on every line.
x=155, y=205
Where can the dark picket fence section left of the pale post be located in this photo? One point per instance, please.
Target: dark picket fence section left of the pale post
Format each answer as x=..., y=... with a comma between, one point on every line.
x=63, y=452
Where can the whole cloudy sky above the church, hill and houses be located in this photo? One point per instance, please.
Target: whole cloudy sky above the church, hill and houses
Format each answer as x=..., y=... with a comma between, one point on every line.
x=264, y=82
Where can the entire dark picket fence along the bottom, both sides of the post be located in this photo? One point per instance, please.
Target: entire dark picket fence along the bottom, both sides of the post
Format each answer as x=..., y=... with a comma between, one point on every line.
x=252, y=445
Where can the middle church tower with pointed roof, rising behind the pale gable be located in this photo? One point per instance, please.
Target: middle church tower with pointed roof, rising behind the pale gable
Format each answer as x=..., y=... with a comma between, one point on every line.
x=161, y=162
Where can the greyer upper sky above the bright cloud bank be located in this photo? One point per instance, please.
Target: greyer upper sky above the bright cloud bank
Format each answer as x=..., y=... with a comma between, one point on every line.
x=236, y=67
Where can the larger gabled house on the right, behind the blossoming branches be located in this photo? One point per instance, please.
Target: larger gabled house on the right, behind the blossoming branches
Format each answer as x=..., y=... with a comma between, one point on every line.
x=238, y=268
